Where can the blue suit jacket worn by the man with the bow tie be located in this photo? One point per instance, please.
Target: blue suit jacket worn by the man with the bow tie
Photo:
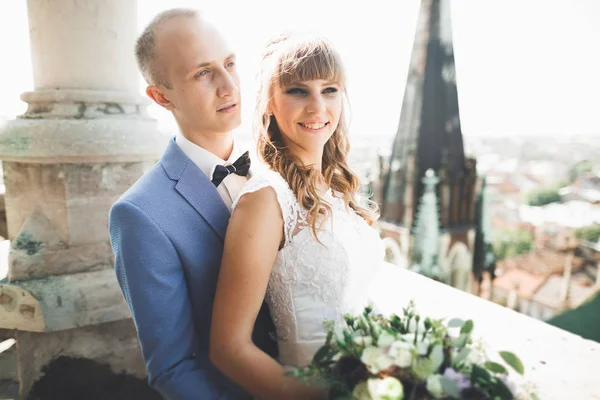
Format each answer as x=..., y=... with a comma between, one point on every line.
x=167, y=235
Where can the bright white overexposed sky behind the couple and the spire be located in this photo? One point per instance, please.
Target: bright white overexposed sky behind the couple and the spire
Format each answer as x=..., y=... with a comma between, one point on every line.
x=523, y=67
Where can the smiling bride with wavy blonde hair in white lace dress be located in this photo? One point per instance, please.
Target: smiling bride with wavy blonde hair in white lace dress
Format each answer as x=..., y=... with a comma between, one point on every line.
x=298, y=234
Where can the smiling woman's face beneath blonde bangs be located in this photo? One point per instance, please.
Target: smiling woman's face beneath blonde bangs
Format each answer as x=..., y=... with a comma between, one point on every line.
x=307, y=114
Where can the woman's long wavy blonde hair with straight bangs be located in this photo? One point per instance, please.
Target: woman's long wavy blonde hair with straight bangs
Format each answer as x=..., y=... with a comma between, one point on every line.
x=290, y=59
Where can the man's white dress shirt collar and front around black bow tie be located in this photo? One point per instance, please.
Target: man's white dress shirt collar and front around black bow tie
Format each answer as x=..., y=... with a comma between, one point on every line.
x=207, y=161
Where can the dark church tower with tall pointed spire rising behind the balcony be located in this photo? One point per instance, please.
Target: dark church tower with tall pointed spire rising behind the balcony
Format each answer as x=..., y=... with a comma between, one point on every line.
x=429, y=137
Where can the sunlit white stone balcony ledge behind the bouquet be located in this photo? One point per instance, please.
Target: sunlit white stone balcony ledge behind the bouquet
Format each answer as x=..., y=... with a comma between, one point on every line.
x=562, y=366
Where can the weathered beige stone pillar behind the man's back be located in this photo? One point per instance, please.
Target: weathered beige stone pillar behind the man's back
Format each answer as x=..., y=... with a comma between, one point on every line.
x=85, y=138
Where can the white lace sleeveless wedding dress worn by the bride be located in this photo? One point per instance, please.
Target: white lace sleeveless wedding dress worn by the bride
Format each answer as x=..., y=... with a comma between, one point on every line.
x=312, y=282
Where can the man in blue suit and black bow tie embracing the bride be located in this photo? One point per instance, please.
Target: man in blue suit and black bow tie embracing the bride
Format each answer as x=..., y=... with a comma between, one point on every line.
x=167, y=230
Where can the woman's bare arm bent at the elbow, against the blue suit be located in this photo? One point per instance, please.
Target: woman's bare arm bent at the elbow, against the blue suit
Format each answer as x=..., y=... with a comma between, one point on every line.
x=251, y=244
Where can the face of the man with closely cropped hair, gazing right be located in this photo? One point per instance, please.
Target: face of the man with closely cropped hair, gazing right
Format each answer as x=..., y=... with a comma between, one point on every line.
x=201, y=69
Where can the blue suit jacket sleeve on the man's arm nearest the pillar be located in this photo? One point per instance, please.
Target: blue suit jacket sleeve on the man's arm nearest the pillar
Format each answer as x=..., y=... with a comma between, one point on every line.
x=151, y=277
